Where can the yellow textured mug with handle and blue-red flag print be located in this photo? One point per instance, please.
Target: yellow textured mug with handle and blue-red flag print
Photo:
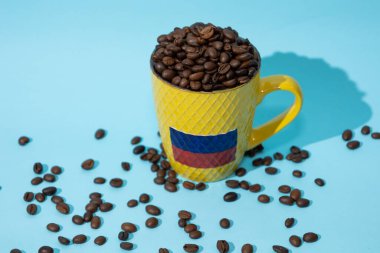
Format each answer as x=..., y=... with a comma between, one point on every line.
x=205, y=134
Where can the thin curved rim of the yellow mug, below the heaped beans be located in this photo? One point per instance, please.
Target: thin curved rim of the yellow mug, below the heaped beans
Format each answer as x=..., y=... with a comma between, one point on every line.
x=205, y=92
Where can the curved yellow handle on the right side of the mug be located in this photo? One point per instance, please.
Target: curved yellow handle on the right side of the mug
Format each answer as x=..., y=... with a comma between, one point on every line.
x=268, y=85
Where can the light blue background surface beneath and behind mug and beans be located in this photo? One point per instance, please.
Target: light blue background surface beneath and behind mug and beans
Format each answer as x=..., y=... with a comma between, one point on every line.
x=70, y=67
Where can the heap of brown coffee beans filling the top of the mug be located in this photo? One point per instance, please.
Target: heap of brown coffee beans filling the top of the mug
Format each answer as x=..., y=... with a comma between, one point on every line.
x=205, y=57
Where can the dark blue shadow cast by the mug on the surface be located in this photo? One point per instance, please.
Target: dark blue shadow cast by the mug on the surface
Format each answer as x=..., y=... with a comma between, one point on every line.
x=332, y=102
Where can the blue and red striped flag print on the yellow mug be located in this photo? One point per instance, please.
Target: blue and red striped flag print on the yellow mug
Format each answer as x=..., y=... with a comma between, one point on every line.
x=203, y=151
